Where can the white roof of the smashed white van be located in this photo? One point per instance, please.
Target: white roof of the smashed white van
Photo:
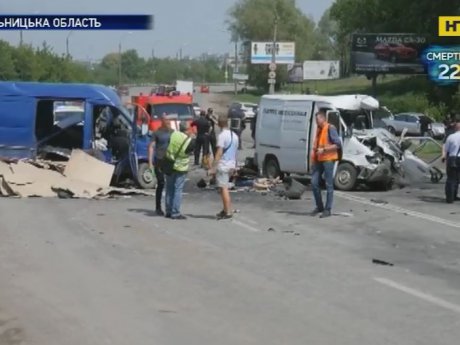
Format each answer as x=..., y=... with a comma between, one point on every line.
x=347, y=102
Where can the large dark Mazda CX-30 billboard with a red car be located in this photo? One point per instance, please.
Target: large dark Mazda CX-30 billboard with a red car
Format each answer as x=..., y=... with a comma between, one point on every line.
x=388, y=53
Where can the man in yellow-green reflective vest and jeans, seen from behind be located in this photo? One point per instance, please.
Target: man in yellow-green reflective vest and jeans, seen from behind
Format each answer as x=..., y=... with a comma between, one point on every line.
x=179, y=148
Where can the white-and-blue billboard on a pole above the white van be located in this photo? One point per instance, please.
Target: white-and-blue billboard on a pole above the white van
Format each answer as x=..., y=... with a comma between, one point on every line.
x=261, y=53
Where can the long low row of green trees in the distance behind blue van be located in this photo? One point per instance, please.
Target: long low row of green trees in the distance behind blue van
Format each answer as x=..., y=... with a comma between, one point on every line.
x=42, y=64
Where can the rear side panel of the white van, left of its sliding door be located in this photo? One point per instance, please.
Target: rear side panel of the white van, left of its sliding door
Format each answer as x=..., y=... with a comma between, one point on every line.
x=268, y=133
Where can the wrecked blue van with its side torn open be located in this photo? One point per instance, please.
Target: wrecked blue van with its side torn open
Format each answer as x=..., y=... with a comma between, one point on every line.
x=31, y=126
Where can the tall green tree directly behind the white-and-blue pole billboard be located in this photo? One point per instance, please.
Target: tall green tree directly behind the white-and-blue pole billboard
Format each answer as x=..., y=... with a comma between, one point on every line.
x=253, y=20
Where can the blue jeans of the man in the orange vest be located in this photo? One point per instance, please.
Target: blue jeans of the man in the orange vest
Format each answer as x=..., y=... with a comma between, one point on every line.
x=318, y=169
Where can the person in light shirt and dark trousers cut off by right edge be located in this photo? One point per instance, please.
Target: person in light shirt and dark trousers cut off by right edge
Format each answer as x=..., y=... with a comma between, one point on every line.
x=452, y=158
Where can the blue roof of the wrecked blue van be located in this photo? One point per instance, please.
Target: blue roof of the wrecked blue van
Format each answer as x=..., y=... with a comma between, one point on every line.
x=92, y=92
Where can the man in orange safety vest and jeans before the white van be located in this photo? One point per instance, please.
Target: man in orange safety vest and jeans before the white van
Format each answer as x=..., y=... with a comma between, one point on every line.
x=325, y=153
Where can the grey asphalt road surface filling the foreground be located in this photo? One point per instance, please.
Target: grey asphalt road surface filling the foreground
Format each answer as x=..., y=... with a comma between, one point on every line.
x=110, y=272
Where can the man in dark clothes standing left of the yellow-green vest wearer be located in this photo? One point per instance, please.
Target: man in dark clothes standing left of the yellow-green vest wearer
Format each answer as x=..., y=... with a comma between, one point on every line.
x=157, y=150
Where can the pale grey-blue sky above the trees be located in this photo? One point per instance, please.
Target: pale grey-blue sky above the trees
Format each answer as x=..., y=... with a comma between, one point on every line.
x=195, y=26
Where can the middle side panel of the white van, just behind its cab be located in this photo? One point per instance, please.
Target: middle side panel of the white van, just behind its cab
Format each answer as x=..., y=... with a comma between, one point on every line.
x=295, y=136
